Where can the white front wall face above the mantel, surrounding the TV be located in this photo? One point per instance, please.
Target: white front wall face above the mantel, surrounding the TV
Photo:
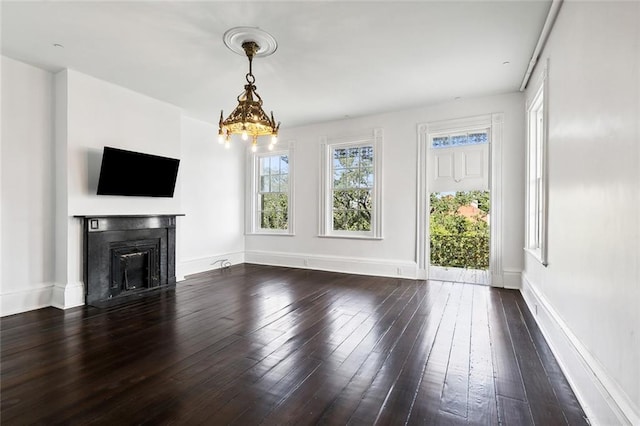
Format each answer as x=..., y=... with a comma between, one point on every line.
x=103, y=114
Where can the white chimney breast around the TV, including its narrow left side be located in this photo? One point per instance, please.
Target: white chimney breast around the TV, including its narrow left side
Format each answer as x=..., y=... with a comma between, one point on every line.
x=91, y=114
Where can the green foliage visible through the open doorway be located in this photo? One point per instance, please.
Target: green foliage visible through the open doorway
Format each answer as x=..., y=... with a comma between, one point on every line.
x=459, y=227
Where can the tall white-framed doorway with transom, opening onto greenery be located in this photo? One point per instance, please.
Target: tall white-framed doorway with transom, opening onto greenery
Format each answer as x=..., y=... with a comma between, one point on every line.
x=459, y=208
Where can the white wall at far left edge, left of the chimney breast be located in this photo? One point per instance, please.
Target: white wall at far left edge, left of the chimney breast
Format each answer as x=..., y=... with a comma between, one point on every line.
x=27, y=193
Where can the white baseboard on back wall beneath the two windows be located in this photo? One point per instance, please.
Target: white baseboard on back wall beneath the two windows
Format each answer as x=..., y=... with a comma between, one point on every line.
x=349, y=265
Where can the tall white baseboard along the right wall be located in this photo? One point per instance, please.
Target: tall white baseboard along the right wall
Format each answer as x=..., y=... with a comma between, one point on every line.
x=601, y=398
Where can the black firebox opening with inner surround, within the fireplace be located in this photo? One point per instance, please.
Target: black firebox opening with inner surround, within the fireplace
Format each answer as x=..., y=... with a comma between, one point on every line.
x=135, y=266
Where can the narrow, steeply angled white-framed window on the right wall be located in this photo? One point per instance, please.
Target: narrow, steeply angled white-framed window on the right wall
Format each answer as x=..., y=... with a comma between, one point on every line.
x=536, y=175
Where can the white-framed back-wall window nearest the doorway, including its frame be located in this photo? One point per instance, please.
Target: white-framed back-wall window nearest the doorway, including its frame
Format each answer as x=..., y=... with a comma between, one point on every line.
x=352, y=188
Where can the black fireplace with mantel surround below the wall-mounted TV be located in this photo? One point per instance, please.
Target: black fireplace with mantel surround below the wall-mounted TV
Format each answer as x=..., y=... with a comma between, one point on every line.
x=127, y=257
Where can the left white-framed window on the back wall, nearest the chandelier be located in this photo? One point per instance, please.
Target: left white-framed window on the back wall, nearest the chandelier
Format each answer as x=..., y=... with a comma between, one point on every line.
x=271, y=199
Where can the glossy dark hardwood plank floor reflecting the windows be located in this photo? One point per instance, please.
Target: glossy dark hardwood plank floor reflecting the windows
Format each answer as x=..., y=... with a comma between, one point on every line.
x=266, y=345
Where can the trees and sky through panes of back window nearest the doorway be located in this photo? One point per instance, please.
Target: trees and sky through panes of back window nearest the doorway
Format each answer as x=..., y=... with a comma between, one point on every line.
x=352, y=170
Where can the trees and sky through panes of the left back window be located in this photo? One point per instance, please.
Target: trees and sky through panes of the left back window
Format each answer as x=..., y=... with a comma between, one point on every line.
x=273, y=192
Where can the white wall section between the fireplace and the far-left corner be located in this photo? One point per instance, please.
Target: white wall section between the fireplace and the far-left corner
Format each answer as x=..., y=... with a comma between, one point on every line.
x=212, y=199
